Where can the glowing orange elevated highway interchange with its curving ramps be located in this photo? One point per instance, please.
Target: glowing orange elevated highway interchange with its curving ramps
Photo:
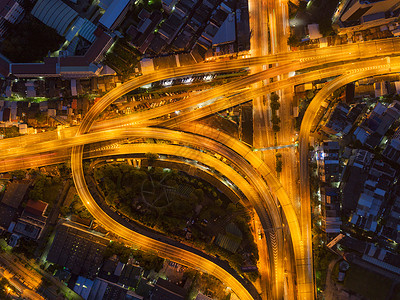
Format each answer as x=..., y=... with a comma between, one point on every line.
x=260, y=181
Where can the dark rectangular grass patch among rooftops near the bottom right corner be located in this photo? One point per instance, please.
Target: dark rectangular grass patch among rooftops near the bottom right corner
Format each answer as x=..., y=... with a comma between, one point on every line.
x=366, y=283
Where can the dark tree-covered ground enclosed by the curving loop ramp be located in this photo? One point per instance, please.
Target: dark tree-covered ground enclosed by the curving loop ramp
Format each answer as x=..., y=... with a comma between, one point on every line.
x=176, y=204
